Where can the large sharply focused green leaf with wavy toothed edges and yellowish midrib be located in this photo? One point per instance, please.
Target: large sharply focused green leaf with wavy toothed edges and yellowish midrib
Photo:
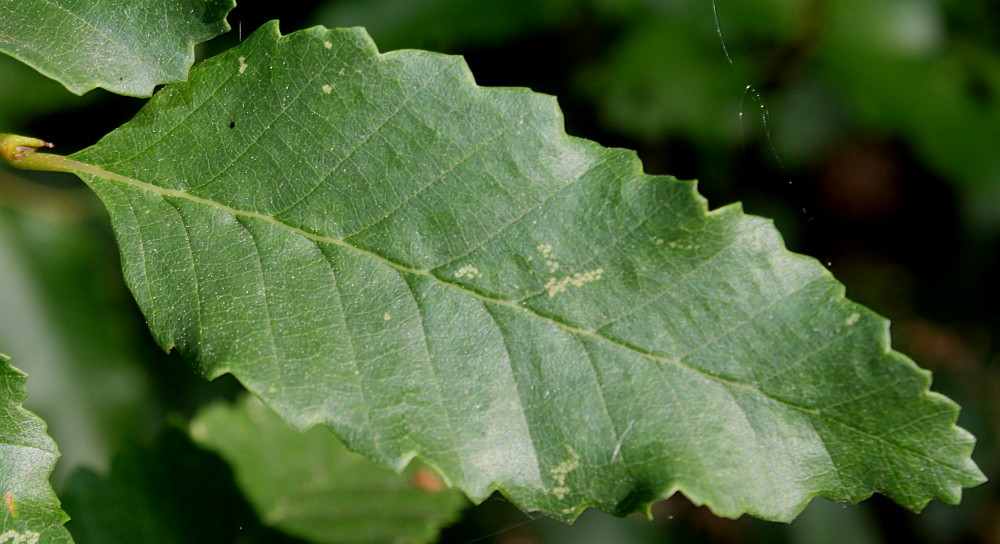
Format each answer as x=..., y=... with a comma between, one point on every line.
x=436, y=269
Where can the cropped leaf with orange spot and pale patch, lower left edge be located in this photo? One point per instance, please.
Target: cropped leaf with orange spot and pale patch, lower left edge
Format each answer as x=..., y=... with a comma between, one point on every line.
x=29, y=509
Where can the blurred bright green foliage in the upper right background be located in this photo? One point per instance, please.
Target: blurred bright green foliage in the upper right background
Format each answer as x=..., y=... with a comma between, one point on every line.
x=917, y=70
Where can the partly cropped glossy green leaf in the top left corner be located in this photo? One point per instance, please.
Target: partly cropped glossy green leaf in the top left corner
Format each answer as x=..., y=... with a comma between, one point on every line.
x=124, y=46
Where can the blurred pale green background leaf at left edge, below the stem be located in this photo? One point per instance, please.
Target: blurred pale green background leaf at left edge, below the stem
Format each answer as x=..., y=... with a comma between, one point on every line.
x=66, y=314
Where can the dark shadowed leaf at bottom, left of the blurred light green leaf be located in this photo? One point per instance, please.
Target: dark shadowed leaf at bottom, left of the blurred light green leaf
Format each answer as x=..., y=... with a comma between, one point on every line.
x=170, y=493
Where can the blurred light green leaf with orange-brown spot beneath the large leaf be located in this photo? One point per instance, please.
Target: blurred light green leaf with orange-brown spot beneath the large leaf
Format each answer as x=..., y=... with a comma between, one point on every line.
x=308, y=485
